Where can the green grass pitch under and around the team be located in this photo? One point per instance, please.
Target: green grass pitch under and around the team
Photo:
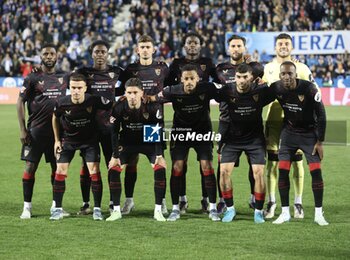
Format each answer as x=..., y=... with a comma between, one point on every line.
x=194, y=236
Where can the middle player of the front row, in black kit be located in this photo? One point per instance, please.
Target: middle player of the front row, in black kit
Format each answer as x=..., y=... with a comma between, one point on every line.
x=190, y=101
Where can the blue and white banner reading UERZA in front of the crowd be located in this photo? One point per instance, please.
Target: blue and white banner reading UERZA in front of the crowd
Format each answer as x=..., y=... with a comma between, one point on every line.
x=312, y=42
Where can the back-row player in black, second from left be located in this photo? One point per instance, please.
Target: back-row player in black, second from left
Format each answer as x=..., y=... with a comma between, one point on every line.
x=102, y=80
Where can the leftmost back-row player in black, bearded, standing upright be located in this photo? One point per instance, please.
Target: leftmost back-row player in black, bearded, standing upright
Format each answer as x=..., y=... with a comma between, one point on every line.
x=40, y=91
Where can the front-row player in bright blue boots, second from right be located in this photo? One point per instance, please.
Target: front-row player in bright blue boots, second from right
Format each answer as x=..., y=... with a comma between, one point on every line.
x=245, y=101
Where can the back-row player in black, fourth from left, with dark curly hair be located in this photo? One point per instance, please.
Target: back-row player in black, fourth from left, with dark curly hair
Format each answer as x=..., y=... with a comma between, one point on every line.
x=192, y=43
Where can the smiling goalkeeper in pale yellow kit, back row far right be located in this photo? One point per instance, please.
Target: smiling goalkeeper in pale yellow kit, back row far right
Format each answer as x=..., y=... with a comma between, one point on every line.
x=283, y=48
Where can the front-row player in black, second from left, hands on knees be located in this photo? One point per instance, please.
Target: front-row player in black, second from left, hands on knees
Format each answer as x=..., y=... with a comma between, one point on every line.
x=131, y=115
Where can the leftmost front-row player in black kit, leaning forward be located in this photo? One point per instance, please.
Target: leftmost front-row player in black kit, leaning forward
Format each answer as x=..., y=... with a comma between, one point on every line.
x=74, y=127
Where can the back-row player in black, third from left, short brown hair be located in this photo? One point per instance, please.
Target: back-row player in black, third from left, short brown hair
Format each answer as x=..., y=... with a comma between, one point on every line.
x=152, y=75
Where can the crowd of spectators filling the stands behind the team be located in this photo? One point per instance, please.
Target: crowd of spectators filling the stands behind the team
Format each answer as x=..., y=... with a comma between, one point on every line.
x=73, y=25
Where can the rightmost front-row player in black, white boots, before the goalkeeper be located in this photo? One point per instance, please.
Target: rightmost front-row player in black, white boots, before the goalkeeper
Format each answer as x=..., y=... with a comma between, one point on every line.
x=304, y=127
